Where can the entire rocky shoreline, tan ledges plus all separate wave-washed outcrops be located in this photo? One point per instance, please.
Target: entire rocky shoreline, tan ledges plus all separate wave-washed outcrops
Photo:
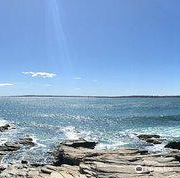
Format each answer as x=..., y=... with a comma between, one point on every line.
x=80, y=159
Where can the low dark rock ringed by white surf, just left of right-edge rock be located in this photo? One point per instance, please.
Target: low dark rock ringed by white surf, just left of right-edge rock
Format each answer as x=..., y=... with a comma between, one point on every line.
x=150, y=138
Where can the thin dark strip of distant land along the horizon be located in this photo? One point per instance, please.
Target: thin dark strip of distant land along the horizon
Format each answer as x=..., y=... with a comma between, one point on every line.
x=79, y=96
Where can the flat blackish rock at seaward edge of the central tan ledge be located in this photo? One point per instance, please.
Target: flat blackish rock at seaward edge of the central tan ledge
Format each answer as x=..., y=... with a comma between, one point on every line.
x=80, y=143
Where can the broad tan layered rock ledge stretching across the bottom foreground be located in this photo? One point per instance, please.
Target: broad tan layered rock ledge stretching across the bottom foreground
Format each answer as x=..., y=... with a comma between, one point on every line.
x=82, y=162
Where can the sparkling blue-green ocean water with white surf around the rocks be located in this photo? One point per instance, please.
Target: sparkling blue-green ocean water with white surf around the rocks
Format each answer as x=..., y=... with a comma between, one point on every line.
x=113, y=123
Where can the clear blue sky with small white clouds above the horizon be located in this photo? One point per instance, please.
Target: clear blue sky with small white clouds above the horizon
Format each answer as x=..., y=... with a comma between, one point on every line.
x=96, y=47
